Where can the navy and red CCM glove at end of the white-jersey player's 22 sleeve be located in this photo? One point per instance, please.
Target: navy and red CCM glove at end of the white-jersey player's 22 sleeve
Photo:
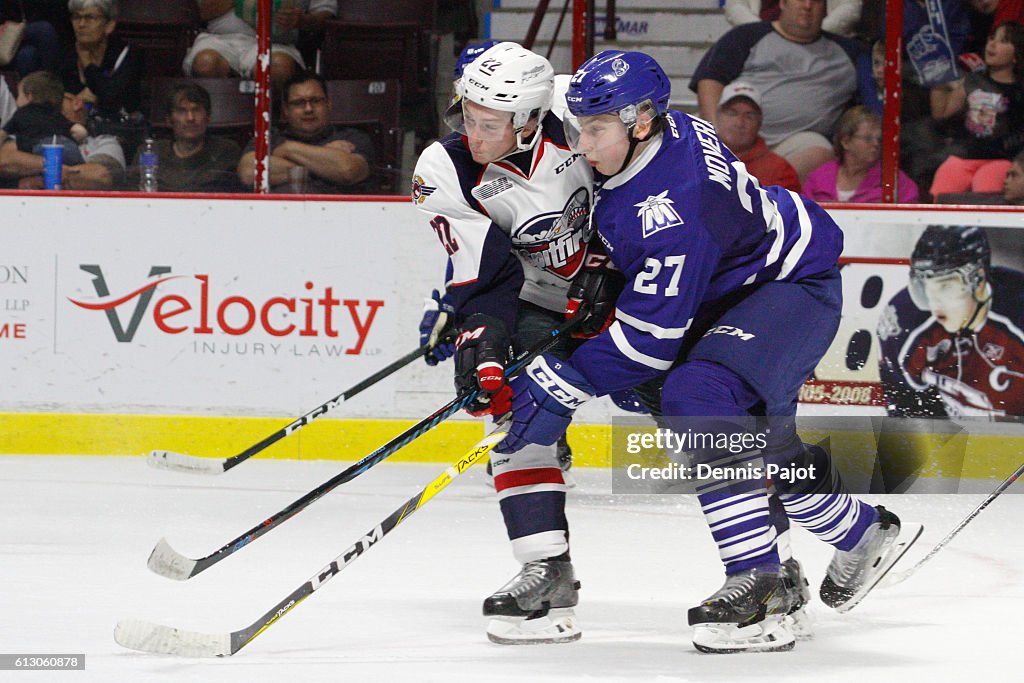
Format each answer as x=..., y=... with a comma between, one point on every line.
x=483, y=351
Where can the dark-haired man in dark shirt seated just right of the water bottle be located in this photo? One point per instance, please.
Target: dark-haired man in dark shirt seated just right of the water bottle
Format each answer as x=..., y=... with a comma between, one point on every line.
x=194, y=161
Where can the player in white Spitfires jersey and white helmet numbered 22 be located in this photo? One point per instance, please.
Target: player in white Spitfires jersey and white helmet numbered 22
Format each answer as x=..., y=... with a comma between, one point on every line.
x=510, y=204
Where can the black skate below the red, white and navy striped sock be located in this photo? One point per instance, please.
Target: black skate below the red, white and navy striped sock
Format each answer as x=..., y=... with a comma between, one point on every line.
x=536, y=607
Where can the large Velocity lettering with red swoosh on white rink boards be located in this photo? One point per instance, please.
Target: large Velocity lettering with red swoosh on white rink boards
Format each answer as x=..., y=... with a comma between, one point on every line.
x=195, y=311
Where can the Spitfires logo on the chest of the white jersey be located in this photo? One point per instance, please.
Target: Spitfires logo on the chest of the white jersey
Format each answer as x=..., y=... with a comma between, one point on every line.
x=554, y=242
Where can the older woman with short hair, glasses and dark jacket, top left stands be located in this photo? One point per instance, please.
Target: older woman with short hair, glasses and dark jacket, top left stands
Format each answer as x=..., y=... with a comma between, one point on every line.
x=105, y=70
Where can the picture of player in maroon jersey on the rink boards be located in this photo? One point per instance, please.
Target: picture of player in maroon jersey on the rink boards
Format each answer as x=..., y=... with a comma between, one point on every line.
x=952, y=343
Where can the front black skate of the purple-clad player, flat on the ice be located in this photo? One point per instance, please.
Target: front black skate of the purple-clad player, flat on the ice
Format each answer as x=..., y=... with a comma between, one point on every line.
x=750, y=614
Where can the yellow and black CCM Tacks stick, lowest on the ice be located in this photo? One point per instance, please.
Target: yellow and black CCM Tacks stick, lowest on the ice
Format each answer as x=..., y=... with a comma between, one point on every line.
x=149, y=637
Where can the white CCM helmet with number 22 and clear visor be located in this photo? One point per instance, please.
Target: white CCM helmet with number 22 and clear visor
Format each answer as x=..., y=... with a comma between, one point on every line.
x=506, y=78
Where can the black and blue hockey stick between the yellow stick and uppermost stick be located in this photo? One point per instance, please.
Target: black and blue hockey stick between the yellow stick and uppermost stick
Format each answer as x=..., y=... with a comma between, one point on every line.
x=168, y=563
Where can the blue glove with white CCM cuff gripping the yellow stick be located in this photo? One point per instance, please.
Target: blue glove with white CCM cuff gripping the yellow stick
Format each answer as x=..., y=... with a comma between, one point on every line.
x=544, y=399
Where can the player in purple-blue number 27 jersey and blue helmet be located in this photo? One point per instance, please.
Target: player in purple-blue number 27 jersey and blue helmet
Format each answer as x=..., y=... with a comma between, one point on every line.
x=733, y=295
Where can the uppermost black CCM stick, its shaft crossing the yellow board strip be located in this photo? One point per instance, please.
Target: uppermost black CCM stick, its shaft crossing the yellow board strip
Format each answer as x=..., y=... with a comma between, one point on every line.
x=185, y=463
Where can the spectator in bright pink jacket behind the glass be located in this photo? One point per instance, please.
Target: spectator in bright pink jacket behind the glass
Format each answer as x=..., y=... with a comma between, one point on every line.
x=856, y=176
